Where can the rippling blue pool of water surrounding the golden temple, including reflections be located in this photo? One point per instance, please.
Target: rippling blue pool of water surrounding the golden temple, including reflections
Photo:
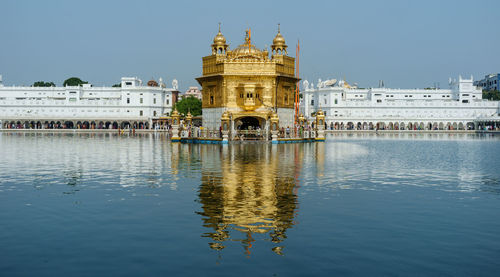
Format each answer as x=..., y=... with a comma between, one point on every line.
x=396, y=205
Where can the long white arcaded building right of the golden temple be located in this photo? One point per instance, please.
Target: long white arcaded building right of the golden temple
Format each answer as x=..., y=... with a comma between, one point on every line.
x=459, y=108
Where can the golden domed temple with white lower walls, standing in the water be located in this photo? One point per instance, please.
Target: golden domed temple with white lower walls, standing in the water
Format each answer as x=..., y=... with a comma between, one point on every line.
x=247, y=85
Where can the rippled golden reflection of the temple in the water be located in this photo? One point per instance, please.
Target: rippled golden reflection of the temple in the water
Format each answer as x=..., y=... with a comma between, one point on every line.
x=248, y=192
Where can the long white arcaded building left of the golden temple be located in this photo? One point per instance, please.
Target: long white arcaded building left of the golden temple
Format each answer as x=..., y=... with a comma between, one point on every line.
x=131, y=105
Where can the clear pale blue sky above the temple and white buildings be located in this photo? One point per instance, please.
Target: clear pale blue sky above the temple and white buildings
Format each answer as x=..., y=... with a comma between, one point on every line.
x=408, y=44
